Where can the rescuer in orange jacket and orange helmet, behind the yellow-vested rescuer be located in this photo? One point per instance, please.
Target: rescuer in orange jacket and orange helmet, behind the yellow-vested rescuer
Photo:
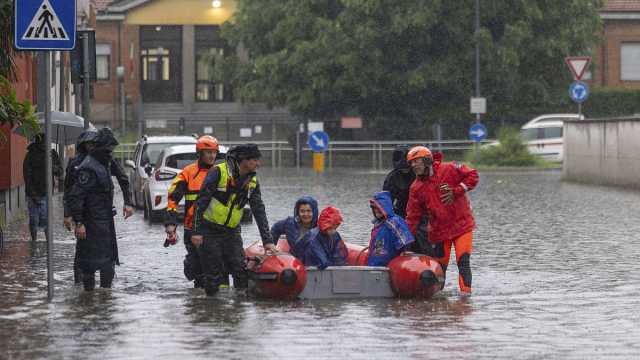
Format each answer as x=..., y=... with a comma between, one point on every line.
x=187, y=185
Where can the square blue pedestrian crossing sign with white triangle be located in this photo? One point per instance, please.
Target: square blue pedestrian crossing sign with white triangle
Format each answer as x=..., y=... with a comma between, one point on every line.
x=45, y=24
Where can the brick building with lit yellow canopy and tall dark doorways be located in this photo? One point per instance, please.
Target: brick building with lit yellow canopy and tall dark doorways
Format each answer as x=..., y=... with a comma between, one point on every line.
x=164, y=49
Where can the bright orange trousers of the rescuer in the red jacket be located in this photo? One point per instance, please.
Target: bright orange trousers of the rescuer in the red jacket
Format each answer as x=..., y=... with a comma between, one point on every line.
x=463, y=246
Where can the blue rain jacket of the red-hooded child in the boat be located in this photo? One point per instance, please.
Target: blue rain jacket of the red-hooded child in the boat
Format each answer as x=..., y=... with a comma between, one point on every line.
x=322, y=250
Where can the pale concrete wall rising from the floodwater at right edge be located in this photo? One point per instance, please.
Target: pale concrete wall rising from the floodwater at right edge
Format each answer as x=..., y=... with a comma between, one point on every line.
x=603, y=151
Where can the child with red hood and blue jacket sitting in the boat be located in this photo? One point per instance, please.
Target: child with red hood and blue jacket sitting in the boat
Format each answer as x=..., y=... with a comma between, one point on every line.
x=323, y=245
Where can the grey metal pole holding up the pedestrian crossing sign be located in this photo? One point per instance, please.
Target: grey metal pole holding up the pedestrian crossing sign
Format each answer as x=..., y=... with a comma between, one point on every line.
x=49, y=174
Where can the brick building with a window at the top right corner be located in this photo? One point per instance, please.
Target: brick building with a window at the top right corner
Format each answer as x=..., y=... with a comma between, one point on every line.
x=617, y=59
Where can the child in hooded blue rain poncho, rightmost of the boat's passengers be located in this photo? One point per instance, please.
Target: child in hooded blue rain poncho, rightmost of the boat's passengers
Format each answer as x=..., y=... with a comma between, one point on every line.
x=390, y=234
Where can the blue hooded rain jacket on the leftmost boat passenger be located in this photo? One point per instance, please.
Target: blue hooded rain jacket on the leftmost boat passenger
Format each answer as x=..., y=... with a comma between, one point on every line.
x=292, y=228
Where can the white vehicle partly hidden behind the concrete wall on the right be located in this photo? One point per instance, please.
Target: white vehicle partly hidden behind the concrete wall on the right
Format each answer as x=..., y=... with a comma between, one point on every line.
x=543, y=135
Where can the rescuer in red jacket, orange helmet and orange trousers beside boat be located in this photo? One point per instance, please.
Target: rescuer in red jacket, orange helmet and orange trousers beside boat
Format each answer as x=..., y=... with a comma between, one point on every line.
x=439, y=192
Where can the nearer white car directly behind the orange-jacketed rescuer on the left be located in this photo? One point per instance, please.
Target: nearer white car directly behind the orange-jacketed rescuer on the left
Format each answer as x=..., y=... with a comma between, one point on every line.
x=170, y=163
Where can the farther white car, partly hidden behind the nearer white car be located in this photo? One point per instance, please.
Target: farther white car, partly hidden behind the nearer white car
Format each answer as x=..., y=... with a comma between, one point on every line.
x=145, y=156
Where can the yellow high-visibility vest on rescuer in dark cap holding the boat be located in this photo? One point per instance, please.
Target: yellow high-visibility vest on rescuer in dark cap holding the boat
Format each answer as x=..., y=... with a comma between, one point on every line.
x=228, y=214
